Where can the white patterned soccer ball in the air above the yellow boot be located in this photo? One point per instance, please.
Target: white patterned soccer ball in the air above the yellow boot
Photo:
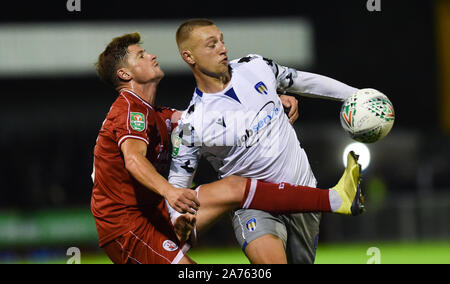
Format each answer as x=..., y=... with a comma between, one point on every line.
x=367, y=115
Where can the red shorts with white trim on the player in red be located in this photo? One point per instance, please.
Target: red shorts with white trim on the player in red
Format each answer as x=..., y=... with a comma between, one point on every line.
x=147, y=244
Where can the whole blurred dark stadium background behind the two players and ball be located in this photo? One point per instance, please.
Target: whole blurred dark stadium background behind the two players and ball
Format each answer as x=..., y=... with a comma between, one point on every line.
x=52, y=106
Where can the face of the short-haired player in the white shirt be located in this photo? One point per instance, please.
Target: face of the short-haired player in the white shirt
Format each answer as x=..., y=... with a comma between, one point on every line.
x=209, y=51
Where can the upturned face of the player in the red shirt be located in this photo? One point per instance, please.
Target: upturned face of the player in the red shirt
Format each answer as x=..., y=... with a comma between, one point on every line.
x=143, y=65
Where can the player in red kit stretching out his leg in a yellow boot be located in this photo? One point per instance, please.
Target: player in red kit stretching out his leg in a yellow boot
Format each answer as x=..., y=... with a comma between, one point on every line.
x=131, y=163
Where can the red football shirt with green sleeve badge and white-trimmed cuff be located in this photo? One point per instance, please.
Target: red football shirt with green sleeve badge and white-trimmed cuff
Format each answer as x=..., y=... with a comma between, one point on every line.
x=119, y=203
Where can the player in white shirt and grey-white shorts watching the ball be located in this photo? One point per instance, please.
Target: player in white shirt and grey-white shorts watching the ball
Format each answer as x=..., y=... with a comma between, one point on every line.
x=236, y=120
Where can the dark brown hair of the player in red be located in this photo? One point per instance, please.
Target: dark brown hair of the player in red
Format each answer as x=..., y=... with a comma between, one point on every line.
x=113, y=58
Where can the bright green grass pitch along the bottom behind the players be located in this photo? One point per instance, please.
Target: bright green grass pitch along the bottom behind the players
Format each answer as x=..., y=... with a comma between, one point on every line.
x=405, y=253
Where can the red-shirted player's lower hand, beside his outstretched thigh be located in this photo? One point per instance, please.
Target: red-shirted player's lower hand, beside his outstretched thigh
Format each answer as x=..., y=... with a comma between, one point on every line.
x=184, y=200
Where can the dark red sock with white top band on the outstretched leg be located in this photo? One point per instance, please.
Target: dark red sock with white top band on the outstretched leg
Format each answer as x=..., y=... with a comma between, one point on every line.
x=284, y=197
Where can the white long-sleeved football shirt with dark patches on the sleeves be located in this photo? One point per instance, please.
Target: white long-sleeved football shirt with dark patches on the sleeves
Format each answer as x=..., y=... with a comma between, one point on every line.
x=243, y=129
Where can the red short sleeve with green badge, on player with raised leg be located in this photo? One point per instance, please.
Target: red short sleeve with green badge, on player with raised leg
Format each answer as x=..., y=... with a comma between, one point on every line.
x=130, y=121
